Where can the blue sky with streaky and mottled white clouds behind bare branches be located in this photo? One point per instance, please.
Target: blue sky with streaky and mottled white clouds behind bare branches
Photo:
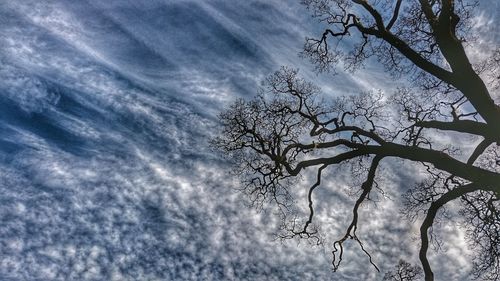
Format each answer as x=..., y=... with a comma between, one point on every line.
x=106, y=109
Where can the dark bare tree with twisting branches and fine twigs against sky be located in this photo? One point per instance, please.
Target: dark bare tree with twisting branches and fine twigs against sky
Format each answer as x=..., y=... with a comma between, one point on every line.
x=267, y=137
